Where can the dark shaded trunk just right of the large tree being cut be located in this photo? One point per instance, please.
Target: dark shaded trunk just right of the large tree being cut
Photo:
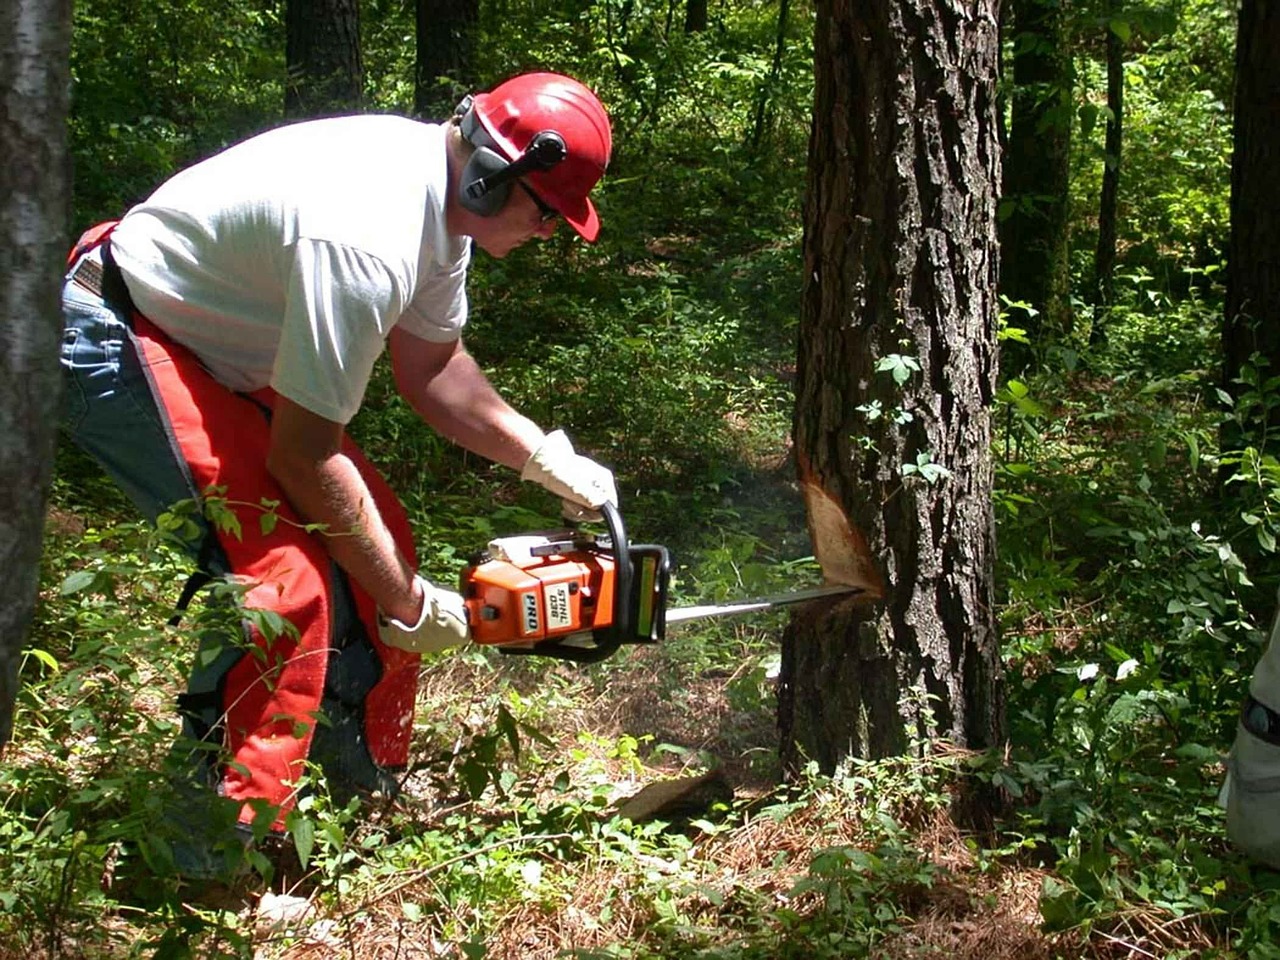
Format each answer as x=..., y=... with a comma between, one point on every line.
x=1034, y=236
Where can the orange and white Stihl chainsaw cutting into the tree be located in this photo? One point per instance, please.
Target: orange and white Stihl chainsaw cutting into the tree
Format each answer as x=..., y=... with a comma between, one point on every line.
x=580, y=597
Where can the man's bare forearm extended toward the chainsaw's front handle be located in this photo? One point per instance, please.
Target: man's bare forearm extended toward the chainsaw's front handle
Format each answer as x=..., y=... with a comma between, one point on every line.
x=450, y=391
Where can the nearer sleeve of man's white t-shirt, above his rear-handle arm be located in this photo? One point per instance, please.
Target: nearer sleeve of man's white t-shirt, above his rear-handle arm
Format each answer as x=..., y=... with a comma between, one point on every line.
x=340, y=307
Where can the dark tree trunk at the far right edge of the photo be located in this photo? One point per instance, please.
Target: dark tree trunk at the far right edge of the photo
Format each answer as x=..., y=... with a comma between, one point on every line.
x=1252, y=319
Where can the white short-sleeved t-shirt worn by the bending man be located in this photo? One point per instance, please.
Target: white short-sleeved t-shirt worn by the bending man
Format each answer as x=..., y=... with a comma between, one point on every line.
x=287, y=259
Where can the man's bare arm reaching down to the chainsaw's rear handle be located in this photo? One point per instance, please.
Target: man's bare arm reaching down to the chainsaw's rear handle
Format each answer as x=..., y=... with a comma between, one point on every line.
x=324, y=486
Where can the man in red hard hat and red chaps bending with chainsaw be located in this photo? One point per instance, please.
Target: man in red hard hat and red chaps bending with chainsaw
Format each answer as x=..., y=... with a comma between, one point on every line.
x=222, y=336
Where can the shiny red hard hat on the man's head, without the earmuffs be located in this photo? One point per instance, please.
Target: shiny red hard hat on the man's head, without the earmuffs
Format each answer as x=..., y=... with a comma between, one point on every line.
x=515, y=112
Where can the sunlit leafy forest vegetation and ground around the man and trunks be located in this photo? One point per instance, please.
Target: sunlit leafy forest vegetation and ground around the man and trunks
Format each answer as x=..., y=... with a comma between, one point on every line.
x=1135, y=596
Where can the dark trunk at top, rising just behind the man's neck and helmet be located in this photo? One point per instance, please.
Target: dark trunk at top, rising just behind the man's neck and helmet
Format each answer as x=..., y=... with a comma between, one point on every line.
x=446, y=40
